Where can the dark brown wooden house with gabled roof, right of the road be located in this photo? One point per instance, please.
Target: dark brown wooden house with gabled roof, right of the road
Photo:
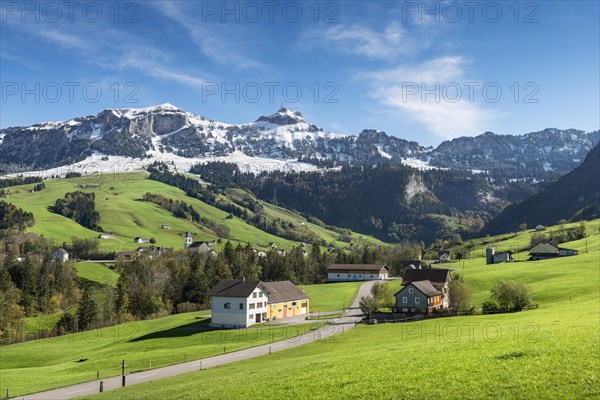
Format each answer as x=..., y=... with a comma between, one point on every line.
x=418, y=296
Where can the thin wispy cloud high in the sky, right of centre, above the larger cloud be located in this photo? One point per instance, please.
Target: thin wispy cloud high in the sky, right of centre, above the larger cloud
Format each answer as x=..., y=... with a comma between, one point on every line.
x=362, y=40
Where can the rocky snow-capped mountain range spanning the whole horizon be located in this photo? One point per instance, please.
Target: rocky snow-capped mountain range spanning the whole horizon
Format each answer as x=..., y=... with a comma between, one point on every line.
x=283, y=140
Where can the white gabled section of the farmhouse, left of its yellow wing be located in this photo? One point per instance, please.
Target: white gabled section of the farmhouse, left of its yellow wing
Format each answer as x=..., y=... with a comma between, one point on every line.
x=238, y=303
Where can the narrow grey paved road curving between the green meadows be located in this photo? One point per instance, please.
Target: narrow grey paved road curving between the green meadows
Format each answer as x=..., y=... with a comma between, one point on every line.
x=348, y=321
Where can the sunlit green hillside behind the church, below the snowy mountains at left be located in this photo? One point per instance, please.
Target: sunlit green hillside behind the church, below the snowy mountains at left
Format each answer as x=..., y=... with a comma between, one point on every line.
x=118, y=199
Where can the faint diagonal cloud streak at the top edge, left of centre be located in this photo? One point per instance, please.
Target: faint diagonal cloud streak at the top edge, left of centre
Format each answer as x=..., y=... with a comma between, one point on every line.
x=223, y=43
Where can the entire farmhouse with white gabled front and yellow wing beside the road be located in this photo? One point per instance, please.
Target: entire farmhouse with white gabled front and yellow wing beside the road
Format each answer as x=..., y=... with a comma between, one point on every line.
x=242, y=303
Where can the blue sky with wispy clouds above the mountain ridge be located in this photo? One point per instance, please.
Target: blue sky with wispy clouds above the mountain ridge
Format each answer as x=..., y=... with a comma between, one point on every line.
x=421, y=71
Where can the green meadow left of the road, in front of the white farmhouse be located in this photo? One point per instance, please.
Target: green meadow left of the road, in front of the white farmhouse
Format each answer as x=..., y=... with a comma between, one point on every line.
x=50, y=363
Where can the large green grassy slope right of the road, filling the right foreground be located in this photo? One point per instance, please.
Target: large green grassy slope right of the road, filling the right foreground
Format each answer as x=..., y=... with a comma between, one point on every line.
x=551, y=352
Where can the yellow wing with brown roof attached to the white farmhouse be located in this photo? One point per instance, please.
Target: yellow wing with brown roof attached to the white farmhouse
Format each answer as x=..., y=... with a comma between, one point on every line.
x=285, y=300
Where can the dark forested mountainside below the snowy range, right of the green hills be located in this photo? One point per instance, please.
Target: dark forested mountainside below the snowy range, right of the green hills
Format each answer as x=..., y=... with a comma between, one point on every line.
x=391, y=202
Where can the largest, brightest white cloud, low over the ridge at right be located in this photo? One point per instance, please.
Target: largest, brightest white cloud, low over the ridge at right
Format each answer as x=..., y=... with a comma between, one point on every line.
x=426, y=93
